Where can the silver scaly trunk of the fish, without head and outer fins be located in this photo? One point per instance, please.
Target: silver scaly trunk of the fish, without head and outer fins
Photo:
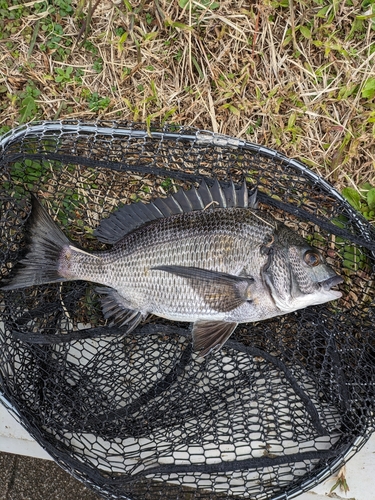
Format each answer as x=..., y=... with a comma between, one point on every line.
x=227, y=241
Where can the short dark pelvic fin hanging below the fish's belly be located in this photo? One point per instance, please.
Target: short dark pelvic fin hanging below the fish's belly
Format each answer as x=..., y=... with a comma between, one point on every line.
x=210, y=336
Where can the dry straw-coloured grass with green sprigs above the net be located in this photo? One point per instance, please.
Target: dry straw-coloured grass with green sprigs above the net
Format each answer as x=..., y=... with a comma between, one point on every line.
x=243, y=69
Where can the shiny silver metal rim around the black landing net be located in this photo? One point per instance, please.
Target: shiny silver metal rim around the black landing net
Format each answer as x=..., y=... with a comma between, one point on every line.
x=197, y=137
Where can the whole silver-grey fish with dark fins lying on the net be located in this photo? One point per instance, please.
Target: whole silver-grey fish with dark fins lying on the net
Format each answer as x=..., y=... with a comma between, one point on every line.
x=207, y=255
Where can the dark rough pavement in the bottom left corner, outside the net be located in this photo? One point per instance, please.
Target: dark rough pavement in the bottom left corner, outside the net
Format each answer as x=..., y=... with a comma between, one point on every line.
x=26, y=478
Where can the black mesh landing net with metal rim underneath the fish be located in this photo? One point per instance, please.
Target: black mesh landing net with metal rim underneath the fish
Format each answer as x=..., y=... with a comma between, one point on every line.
x=284, y=403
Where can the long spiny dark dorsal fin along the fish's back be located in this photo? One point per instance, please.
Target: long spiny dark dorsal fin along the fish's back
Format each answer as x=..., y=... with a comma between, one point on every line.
x=130, y=217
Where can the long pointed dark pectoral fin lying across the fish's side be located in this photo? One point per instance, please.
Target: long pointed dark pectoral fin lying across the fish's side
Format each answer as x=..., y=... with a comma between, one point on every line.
x=222, y=292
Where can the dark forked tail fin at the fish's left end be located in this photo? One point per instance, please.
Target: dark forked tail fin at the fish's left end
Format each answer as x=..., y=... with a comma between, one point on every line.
x=46, y=242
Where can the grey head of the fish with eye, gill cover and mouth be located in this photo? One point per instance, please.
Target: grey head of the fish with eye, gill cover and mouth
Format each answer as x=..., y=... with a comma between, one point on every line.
x=298, y=276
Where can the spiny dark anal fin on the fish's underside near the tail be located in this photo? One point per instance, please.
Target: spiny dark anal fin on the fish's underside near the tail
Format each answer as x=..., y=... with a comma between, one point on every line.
x=114, y=308
